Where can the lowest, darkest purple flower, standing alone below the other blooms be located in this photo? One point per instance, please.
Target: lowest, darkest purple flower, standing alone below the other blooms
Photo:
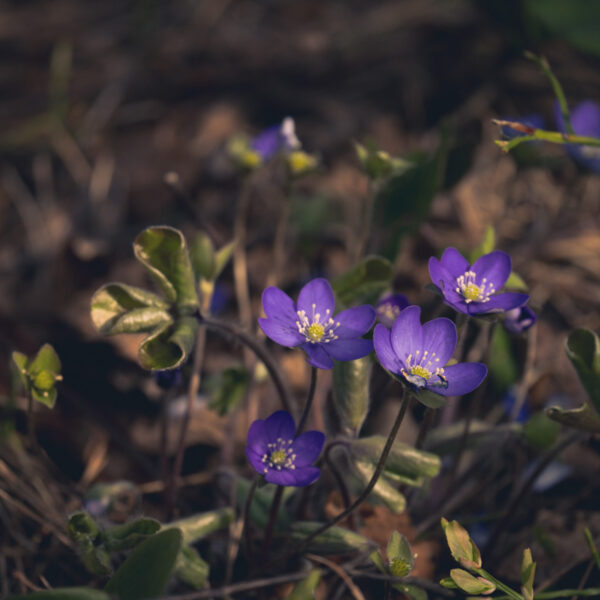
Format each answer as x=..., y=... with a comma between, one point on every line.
x=282, y=458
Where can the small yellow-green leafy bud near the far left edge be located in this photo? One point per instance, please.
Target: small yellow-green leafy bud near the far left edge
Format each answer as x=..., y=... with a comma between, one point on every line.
x=38, y=375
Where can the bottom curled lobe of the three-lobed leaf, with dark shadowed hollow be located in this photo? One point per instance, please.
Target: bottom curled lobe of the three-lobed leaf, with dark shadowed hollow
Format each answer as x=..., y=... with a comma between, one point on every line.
x=168, y=346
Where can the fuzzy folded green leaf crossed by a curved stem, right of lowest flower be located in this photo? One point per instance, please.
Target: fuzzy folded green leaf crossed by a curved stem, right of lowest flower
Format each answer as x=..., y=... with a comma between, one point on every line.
x=404, y=464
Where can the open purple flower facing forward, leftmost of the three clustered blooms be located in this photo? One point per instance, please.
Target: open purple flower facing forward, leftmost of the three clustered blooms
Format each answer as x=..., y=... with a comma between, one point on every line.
x=310, y=323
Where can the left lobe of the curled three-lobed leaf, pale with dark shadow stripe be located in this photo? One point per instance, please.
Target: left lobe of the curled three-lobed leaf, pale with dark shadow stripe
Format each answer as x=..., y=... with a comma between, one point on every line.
x=120, y=308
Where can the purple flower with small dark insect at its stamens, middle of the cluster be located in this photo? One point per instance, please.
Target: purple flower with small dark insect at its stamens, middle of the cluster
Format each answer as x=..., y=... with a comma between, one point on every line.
x=417, y=354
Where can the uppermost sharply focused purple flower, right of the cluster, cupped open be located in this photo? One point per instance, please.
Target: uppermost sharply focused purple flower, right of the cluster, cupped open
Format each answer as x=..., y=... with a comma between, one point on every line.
x=472, y=289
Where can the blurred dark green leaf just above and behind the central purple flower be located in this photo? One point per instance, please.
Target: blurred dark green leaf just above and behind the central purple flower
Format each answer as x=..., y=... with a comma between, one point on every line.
x=364, y=282
